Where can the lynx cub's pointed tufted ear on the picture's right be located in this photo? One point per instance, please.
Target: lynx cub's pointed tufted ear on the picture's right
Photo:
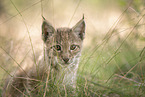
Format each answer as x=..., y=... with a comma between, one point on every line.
x=79, y=28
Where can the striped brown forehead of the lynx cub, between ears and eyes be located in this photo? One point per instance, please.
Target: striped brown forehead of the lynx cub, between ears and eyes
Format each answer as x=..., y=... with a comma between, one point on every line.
x=64, y=35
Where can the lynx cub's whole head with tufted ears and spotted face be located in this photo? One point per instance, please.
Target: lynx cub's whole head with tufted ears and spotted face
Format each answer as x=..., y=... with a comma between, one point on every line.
x=63, y=45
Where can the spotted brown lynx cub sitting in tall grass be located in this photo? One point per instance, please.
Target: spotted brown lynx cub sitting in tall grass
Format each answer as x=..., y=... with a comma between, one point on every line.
x=58, y=64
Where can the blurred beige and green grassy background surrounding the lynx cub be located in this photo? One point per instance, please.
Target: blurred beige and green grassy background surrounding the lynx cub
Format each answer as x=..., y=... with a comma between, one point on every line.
x=113, y=57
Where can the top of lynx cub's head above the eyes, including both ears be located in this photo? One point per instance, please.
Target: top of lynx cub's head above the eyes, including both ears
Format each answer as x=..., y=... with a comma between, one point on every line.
x=63, y=36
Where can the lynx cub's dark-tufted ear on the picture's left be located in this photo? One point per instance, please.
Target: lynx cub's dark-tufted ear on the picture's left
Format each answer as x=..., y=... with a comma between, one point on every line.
x=47, y=30
